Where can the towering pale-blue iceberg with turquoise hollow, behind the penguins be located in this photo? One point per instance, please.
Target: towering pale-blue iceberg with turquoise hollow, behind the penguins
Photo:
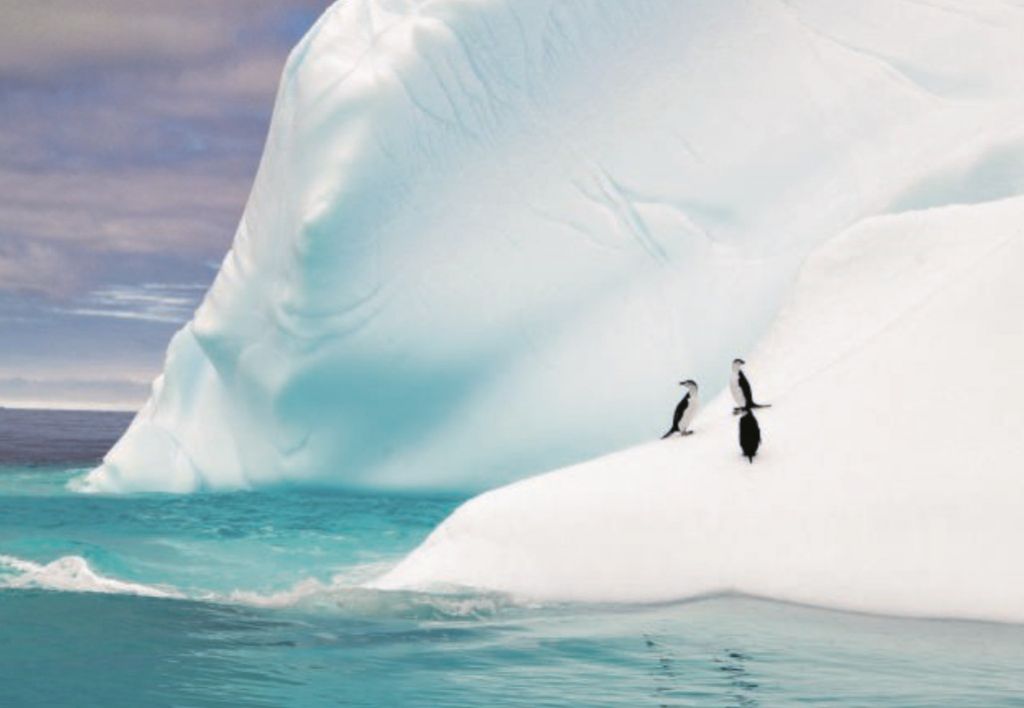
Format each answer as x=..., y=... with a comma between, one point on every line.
x=487, y=237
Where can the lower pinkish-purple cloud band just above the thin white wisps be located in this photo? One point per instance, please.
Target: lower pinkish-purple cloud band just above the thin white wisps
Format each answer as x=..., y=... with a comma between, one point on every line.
x=62, y=232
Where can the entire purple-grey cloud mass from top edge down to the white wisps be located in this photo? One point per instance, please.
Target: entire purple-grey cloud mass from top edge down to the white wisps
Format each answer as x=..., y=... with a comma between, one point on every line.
x=132, y=128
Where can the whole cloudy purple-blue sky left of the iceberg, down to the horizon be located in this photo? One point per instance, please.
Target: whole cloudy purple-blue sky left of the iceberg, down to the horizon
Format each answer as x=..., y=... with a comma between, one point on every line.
x=131, y=132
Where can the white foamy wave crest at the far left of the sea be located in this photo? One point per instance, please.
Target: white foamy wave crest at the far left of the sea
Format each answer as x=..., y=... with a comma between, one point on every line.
x=71, y=574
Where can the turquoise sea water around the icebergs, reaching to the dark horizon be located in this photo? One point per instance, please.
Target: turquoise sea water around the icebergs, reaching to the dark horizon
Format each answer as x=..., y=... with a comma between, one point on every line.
x=254, y=600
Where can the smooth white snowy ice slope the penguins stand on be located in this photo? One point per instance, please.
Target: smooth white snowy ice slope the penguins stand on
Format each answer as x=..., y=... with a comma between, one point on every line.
x=891, y=477
